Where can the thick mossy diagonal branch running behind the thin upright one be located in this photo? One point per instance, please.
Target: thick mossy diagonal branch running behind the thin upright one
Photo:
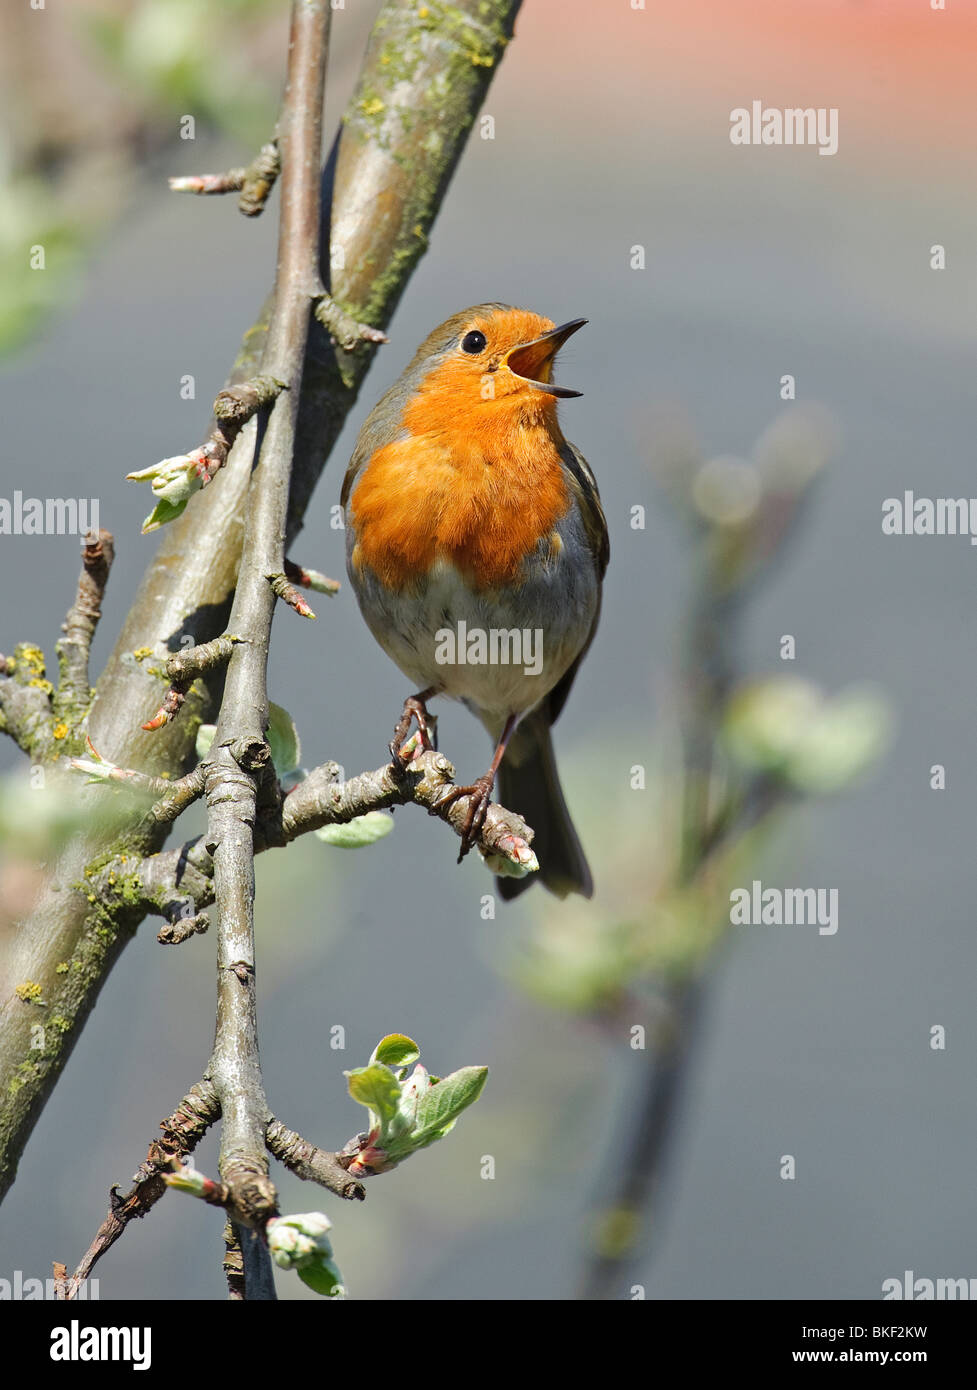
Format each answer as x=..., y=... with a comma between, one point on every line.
x=401, y=140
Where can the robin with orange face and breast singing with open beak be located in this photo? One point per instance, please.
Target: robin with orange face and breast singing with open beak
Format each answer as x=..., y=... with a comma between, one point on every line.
x=469, y=512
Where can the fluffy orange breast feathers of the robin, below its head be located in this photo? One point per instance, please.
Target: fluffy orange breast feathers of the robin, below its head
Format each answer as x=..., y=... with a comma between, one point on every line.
x=475, y=487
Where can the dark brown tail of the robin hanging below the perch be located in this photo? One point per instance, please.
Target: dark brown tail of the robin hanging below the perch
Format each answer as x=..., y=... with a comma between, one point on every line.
x=530, y=786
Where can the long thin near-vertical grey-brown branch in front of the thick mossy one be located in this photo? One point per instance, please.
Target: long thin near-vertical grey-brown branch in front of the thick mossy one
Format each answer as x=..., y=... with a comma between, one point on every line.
x=231, y=772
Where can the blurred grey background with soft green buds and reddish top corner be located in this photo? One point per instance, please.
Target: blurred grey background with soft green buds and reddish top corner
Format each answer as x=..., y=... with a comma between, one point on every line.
x=694, y=757
